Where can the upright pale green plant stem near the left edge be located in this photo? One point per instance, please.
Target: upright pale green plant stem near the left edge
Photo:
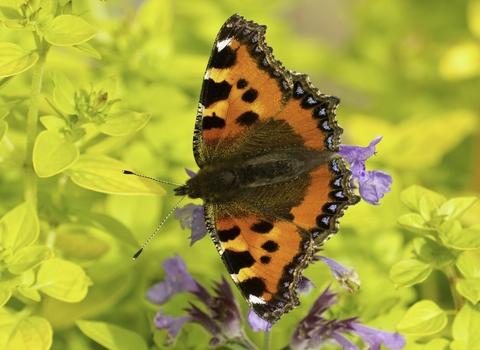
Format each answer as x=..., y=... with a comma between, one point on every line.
x=30, y=186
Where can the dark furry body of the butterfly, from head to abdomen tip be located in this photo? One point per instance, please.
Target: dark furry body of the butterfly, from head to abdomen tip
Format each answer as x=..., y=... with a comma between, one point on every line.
x=225, y=181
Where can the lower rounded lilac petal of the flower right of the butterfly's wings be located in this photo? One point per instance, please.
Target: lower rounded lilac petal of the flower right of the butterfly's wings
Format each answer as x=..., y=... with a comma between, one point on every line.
x=374, y=185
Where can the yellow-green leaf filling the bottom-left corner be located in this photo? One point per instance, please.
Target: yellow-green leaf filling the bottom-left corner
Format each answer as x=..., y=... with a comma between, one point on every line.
x=22, y=332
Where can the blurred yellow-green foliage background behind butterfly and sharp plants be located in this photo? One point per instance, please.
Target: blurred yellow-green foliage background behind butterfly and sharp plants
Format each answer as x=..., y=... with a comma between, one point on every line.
x=404, y=69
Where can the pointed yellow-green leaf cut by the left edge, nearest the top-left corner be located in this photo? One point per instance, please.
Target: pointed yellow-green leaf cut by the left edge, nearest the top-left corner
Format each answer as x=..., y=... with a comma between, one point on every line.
x=14, y=59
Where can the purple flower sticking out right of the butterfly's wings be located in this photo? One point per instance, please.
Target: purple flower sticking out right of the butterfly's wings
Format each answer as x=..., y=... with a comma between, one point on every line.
x=372, y=184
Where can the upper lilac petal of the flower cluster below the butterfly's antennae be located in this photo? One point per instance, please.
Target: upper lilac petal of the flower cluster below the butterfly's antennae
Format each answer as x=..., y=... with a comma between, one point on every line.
x=178, y=280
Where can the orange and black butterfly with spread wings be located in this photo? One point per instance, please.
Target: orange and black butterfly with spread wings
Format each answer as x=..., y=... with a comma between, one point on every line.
x=273, y=185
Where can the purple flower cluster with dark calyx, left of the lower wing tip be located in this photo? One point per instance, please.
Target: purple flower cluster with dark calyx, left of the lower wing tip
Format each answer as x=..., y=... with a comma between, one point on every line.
x=222, y=318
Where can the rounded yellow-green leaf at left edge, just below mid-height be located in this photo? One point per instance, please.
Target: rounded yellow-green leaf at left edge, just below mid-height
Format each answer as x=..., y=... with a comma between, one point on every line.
x=19, y=227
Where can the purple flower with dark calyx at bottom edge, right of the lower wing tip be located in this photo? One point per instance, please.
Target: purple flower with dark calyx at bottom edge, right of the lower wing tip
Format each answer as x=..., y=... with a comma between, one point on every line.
x=315, y=330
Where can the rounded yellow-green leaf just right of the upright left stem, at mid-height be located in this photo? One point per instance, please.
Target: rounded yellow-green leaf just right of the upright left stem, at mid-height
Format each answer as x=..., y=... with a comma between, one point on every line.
x=52, y=154
